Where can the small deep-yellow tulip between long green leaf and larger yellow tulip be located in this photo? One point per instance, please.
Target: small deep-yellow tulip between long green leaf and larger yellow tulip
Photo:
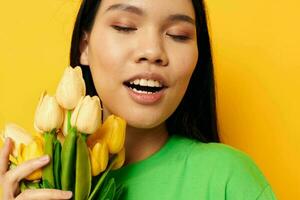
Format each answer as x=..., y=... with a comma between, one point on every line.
x=99, y=157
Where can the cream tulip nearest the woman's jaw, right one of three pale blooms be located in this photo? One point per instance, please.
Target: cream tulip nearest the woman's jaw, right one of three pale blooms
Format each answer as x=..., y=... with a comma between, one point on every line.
x=87, y=115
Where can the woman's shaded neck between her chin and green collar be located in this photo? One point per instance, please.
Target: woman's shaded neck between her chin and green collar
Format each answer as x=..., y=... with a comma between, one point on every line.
x=142, y=143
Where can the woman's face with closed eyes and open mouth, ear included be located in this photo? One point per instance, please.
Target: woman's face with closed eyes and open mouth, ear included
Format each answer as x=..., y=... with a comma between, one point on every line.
x=142, y=55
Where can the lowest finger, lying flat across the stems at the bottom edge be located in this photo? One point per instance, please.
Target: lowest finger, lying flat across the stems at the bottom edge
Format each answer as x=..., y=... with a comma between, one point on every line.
x=39, y=194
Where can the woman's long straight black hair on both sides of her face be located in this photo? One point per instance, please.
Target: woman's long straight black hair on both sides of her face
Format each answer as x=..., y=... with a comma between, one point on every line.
x=195, y=117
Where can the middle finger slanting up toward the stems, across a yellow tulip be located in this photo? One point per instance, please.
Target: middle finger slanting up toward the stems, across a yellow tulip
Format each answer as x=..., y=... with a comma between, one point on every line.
x=27, y=168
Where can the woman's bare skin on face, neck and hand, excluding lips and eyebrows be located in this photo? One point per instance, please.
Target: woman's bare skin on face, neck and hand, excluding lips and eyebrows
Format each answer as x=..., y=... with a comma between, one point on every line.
x=115, y=56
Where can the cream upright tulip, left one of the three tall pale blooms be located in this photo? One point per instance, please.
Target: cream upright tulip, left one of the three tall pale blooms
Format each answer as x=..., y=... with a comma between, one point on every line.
x=48, y=115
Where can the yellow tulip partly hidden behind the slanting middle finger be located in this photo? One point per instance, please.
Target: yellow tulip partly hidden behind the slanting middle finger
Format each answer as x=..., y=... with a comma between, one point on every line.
x=31, y=151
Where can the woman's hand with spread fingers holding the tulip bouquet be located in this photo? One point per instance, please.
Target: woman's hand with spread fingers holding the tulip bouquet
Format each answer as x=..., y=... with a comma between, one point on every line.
x=9, y=179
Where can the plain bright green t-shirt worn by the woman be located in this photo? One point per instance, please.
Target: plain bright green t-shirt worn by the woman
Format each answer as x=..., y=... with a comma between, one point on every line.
x=185, y=169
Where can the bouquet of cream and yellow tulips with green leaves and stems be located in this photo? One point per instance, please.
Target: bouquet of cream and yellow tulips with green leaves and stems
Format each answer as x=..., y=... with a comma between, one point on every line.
x=70, y=130
